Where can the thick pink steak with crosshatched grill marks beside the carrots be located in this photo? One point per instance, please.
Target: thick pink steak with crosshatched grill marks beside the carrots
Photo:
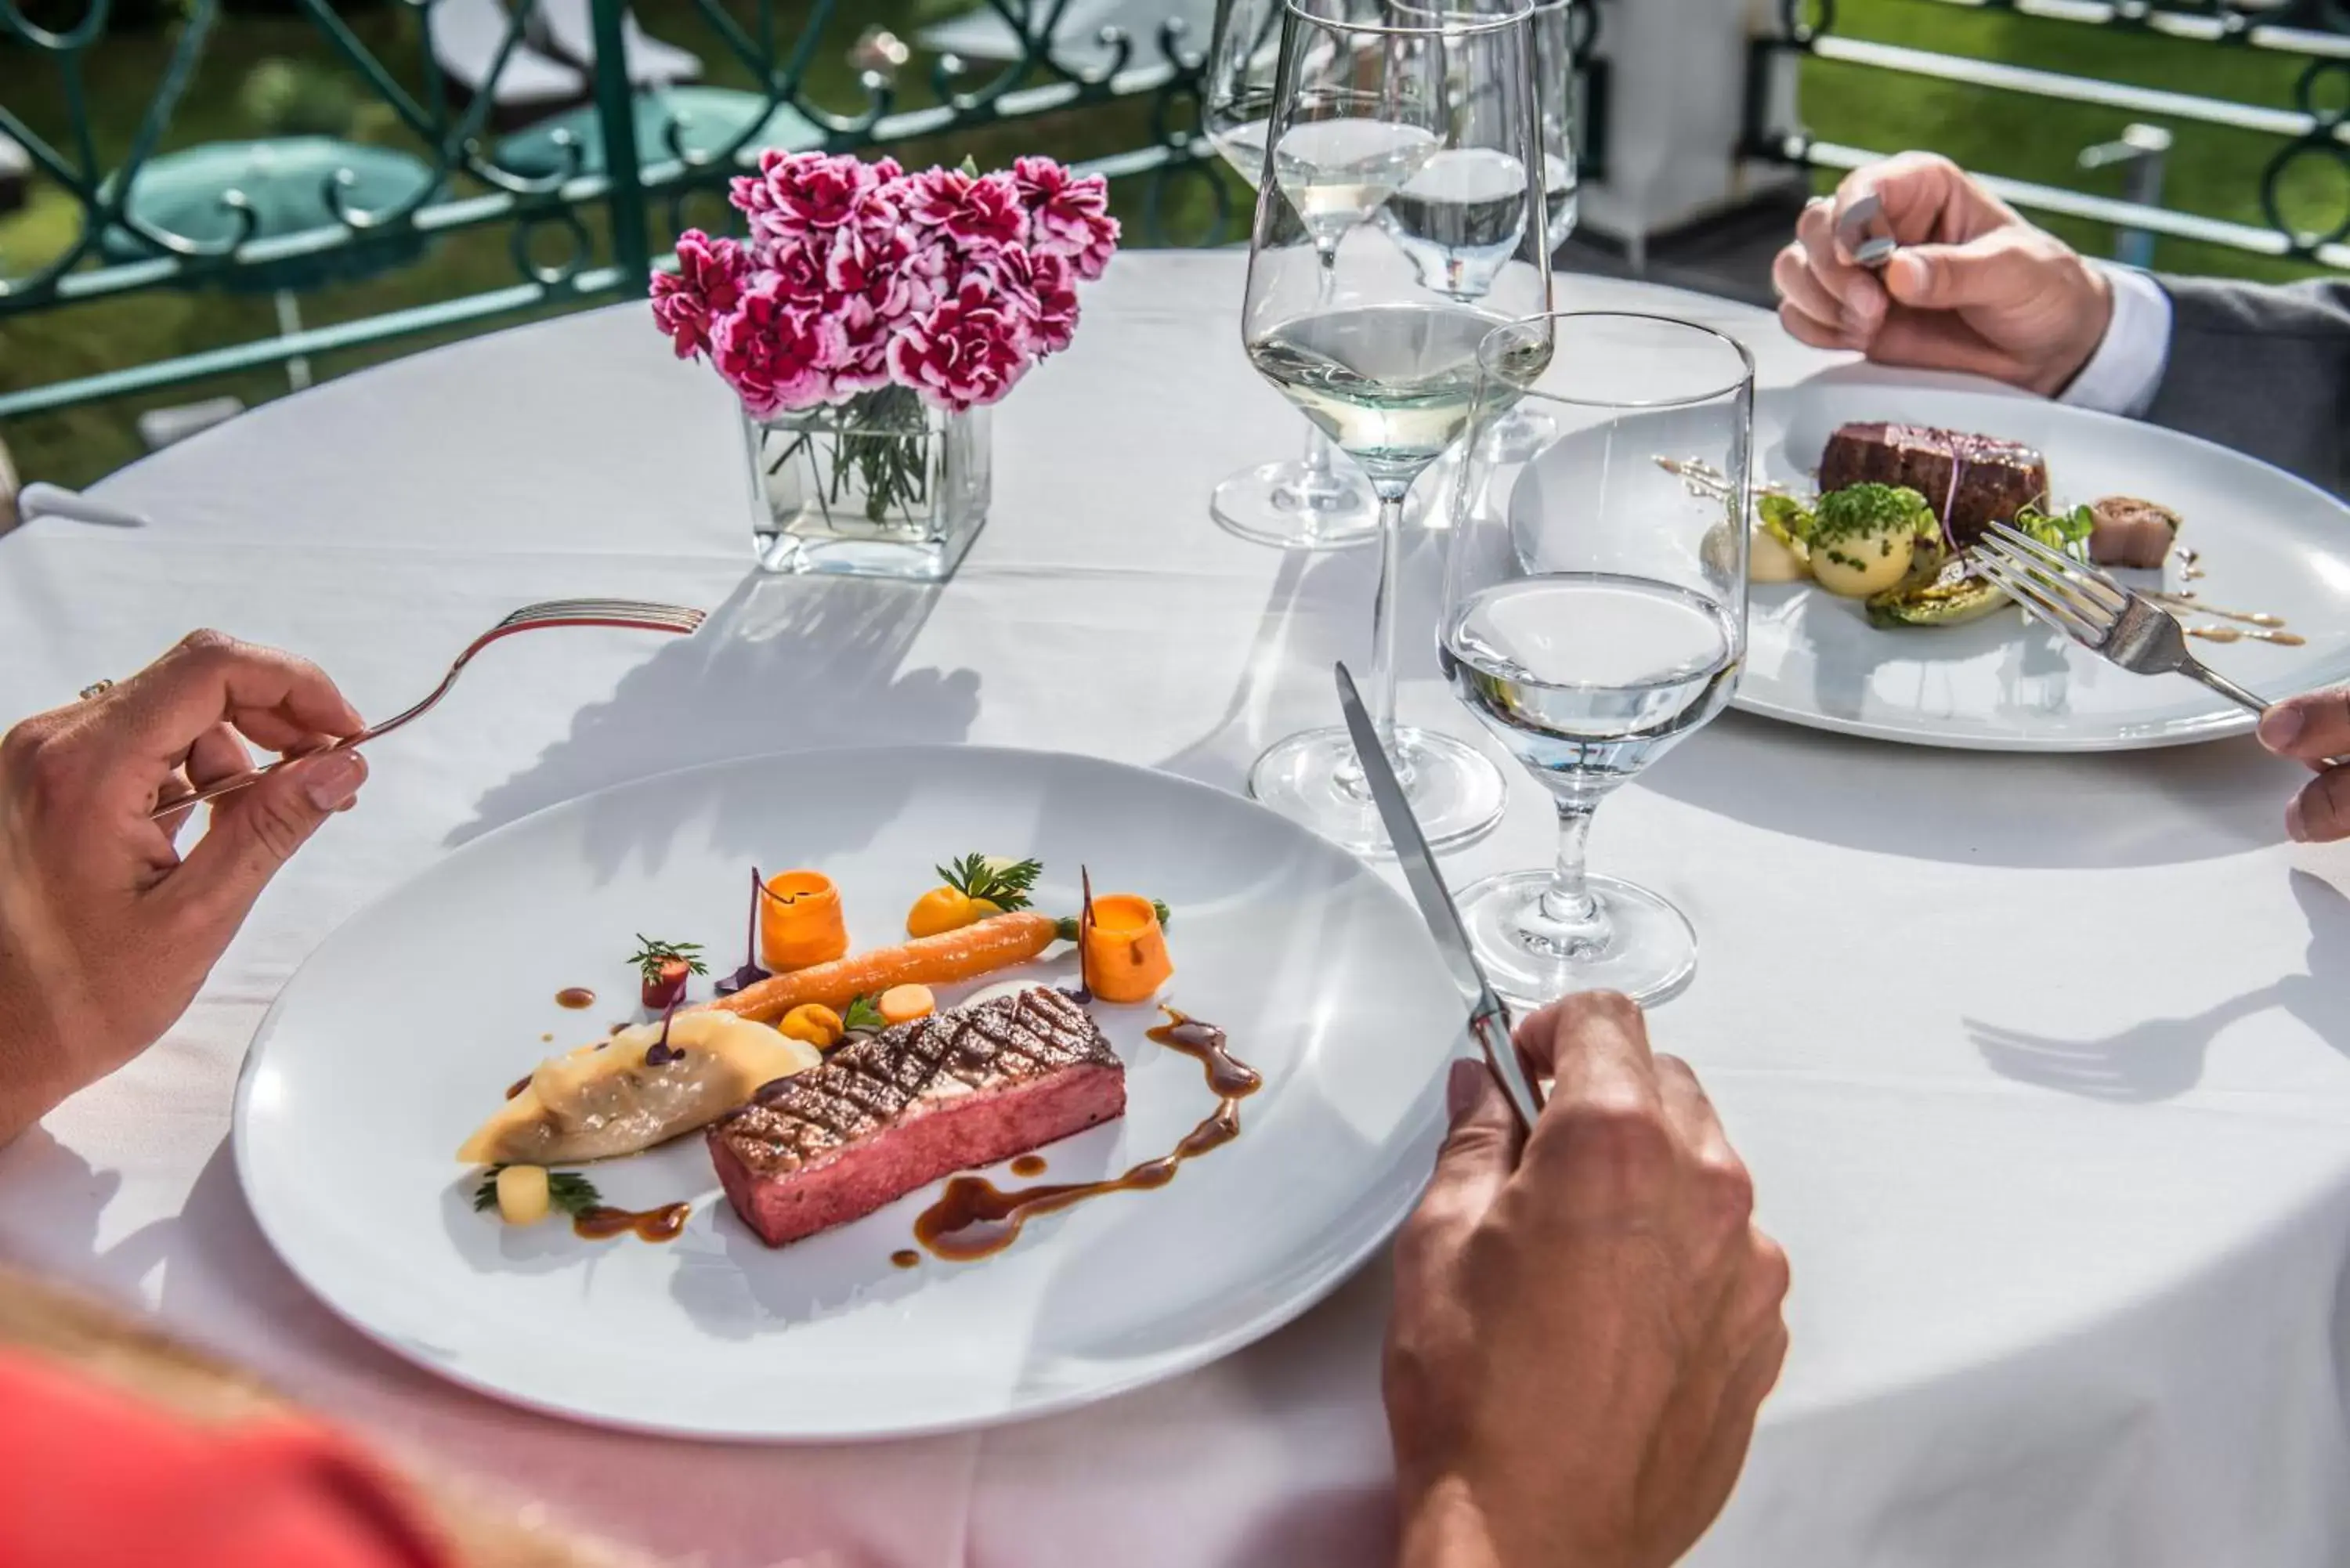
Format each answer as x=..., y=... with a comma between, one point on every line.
x=892, y=1113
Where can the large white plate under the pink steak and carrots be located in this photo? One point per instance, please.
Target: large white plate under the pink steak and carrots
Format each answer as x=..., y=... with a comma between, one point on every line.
x=408, y=1024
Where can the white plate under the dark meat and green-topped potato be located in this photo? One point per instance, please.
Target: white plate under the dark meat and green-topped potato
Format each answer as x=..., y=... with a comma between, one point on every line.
x=2269, y=542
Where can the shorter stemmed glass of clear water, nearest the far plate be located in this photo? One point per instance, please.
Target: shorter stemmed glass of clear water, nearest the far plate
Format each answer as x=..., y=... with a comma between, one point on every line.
x=1597, y=615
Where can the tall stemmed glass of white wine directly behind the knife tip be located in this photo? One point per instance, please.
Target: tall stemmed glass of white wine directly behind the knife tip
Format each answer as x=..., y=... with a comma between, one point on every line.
x=1343, y=319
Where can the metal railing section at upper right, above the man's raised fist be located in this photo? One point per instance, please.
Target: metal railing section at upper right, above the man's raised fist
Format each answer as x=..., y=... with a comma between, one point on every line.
x=2316, y=128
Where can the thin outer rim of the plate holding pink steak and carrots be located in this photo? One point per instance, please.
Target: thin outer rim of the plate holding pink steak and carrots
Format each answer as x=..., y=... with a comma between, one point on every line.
x=1338, y=1268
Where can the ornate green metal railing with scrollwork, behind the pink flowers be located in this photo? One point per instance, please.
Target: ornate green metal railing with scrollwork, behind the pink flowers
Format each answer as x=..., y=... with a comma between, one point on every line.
x=471, y=189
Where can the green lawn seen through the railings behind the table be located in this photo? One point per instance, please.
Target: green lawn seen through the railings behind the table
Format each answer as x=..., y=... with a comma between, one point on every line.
x=2213, y=173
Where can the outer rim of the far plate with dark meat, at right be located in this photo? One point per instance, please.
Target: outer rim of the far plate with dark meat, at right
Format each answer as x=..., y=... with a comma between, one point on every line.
x=2222, y=725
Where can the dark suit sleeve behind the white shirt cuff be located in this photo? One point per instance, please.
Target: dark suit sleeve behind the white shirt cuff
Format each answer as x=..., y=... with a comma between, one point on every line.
x=2264, y=370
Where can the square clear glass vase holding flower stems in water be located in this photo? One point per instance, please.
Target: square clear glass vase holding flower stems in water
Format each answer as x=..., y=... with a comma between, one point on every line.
x=878, y=485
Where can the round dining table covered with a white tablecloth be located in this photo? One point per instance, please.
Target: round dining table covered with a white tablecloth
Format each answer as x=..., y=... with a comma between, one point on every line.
x=2041, y=1064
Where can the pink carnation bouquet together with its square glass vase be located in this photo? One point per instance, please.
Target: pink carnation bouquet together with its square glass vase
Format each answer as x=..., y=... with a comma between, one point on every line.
x=866, y=319
